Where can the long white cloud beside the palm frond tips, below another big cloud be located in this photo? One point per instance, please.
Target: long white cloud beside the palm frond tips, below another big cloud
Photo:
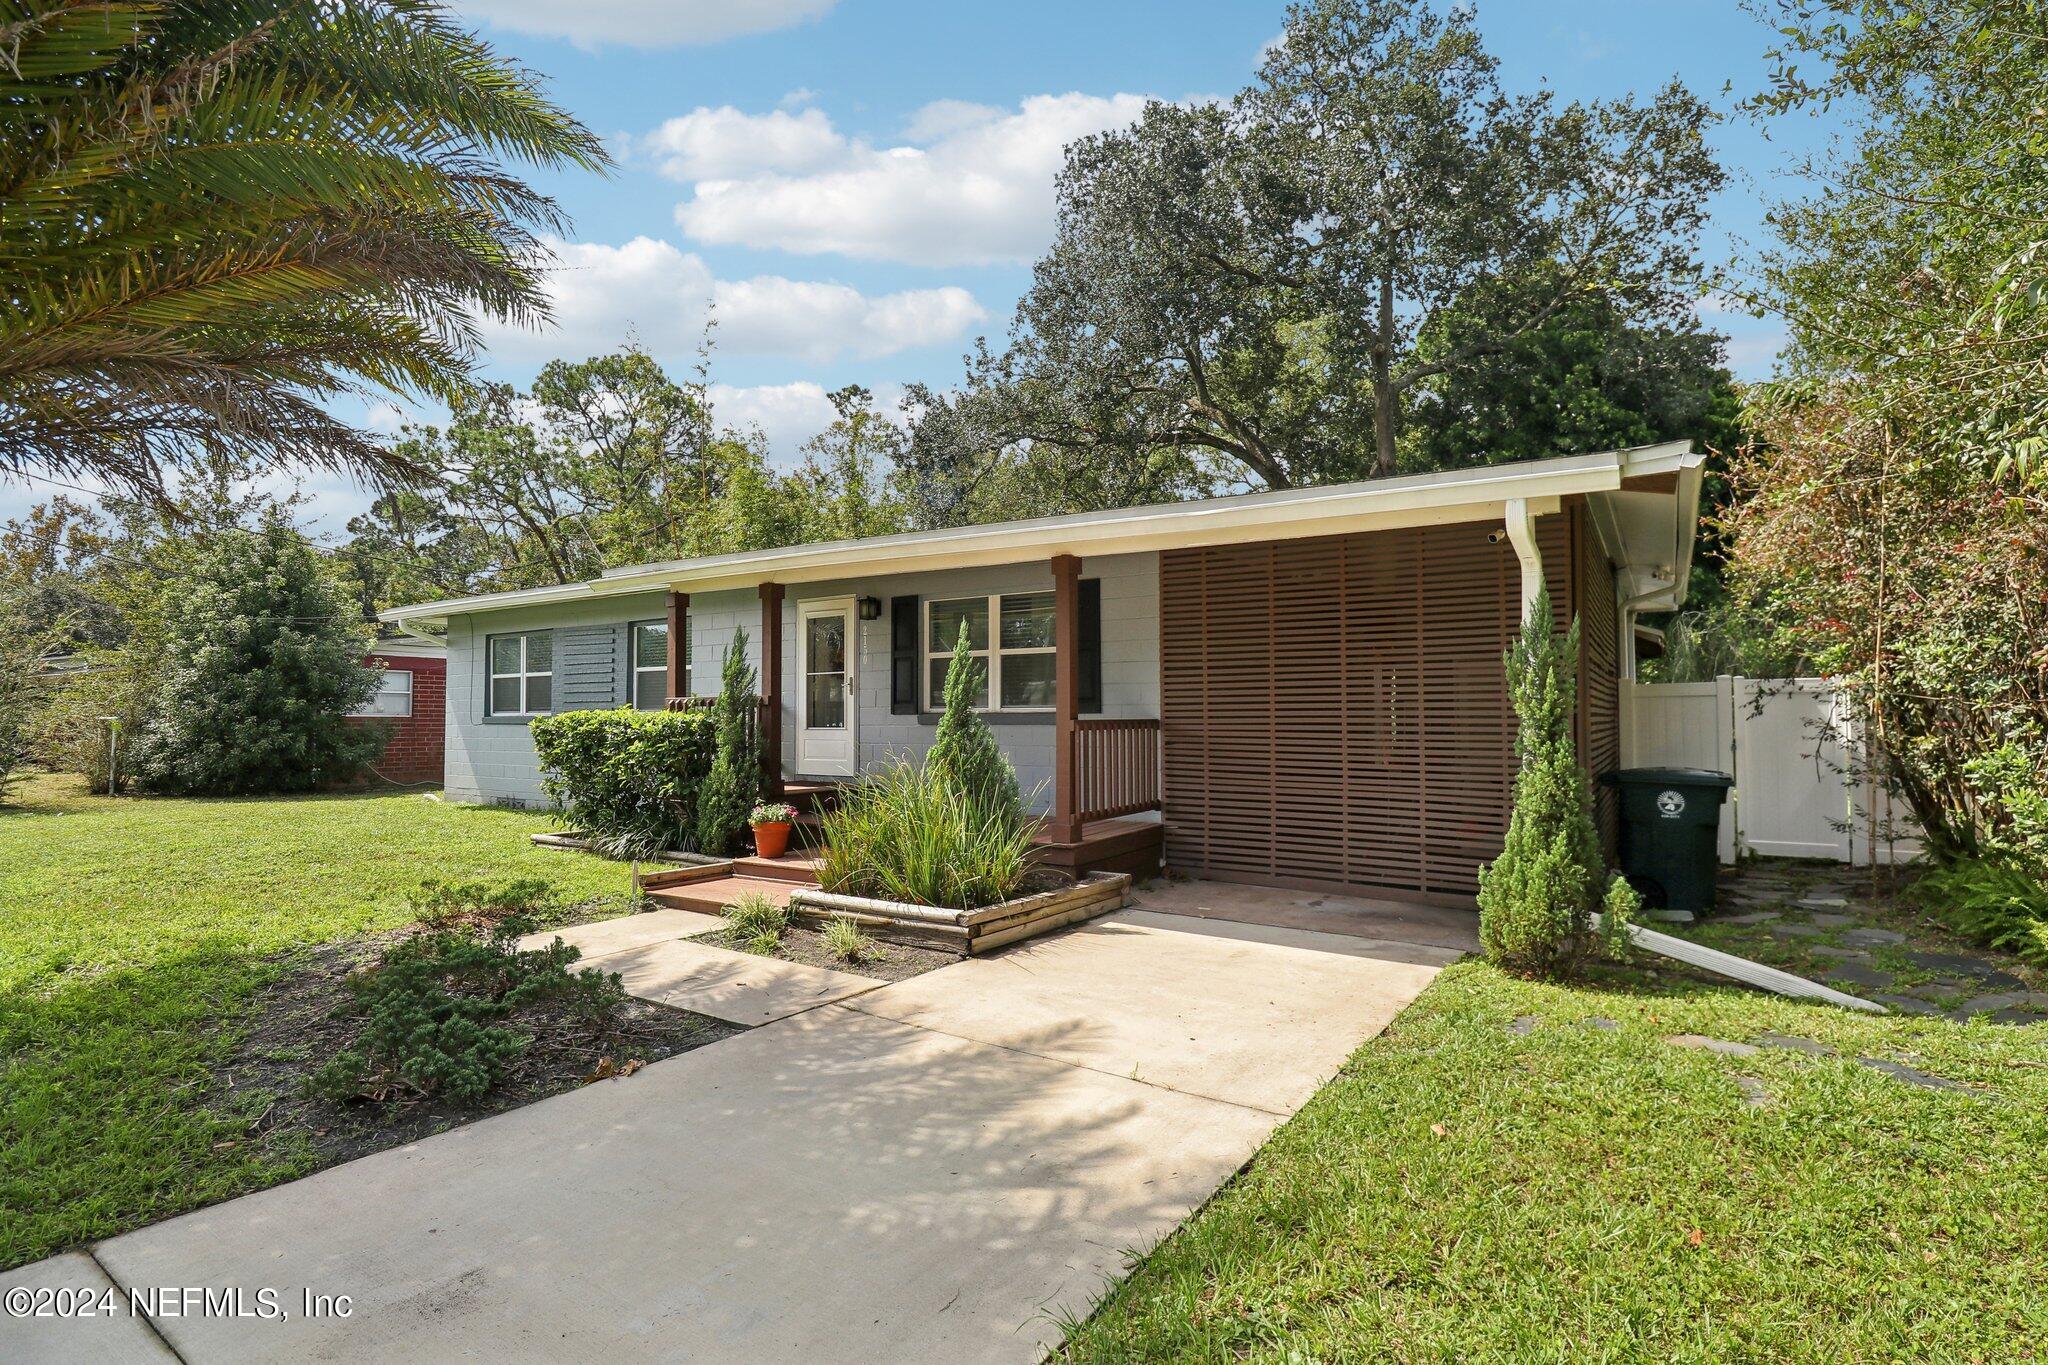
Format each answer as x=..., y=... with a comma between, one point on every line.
x=660, y=296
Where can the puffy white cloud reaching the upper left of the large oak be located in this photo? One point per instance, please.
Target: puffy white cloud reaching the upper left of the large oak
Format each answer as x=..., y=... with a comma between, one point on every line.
x=972, y=187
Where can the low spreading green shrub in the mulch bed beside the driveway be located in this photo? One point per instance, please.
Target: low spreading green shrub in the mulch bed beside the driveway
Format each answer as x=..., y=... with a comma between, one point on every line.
x=441, y=1010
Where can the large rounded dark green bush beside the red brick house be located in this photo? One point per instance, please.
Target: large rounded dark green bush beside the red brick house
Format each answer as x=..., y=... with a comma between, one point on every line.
x=263, y=660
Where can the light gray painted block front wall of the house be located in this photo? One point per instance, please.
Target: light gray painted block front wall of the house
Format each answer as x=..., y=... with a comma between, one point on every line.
x=495, y=762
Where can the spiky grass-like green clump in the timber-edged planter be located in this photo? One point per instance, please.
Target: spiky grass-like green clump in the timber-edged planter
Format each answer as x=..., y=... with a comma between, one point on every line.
x=908, y=834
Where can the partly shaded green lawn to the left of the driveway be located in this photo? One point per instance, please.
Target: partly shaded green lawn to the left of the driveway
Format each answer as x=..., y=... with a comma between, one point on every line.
x=134, y=938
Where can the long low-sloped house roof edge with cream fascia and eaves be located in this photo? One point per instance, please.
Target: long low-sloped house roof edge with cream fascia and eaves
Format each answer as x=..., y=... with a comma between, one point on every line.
x=1646, y=507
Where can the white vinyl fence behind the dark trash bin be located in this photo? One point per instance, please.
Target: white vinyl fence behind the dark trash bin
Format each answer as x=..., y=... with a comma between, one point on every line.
x=1793, y=752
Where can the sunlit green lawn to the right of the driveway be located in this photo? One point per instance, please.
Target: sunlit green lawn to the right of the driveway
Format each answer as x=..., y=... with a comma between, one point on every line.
x=1469, y=1192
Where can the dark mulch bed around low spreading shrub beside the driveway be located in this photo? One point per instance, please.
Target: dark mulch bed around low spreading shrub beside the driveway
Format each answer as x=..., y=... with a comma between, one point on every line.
x=302, y=1020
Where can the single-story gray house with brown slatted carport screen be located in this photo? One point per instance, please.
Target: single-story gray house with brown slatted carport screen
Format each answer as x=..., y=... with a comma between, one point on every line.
x=1297, y=689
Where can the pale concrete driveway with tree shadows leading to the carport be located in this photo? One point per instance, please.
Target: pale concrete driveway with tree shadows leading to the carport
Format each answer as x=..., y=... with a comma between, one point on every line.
x=929, y=1172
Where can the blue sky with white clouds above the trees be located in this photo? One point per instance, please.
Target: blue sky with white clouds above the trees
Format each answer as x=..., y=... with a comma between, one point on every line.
x=859, y=185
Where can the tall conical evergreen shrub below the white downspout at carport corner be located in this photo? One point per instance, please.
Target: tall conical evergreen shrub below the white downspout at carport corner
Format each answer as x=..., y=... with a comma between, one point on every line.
x=1547, y=904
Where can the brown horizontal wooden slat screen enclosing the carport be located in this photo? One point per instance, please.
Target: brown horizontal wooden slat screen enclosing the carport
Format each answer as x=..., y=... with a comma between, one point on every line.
x=1334, y=709
